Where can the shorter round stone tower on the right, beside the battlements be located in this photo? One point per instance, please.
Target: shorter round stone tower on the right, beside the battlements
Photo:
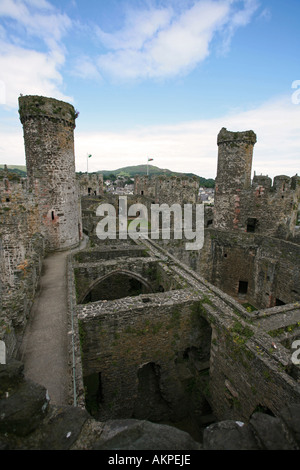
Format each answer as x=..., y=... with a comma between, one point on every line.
x=235, y=153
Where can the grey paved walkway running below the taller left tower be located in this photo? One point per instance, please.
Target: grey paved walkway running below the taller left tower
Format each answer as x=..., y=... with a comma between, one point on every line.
x=44, y=349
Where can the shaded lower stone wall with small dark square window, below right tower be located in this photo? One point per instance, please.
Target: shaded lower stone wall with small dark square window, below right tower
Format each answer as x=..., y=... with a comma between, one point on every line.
x=269, y=266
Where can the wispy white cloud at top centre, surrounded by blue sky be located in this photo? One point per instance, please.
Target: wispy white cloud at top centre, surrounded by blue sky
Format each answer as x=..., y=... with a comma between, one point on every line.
x=161, y=43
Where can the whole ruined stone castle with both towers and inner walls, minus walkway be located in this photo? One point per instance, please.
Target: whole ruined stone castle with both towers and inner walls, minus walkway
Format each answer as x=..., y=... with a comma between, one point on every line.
x=160, y=333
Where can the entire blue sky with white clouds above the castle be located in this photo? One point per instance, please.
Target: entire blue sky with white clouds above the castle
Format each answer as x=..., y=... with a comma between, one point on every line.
x=157, y=78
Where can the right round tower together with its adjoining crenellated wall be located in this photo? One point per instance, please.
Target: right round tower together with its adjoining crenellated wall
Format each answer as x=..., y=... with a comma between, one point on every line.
x=259, y=207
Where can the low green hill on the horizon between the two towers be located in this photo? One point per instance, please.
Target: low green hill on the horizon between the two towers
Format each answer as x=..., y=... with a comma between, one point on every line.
x=131, y=171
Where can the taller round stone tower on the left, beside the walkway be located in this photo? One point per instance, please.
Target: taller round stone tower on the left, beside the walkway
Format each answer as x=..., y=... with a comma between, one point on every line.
x=48, y=126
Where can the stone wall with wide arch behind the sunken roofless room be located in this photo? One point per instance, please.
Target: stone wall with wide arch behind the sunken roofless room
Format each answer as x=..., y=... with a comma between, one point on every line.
x=131, y=262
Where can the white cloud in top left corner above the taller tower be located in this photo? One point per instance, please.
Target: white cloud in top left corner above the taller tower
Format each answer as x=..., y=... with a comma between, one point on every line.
x=28, y=70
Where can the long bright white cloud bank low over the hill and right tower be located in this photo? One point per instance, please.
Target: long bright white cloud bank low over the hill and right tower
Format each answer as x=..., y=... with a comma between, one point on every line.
x=192, y=146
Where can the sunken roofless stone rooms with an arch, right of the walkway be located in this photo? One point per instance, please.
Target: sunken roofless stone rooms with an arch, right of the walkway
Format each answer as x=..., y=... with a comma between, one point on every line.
x=145, y=349
